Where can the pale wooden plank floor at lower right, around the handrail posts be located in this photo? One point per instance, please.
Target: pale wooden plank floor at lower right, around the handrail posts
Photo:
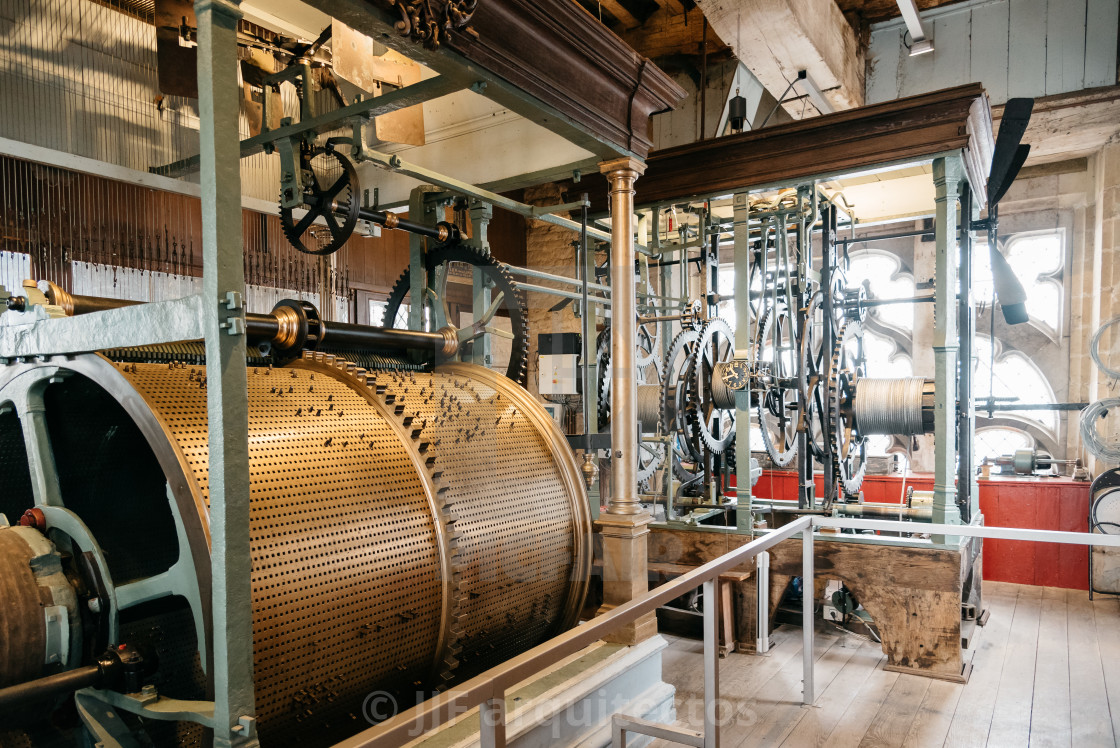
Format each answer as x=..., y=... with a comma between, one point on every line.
x=1047, y=672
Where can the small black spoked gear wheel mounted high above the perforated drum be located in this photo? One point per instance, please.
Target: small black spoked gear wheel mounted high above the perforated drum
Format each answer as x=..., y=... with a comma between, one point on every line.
x=331, y=195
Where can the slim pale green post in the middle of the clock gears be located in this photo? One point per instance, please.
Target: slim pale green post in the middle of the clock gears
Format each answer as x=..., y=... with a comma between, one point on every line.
x=741, y=256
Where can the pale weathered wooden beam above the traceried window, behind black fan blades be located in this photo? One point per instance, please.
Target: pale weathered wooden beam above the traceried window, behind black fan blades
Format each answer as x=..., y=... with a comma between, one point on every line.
x=1068, y=126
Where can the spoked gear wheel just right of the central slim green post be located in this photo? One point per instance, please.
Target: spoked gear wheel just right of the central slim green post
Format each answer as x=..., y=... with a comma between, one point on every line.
x=778, y=407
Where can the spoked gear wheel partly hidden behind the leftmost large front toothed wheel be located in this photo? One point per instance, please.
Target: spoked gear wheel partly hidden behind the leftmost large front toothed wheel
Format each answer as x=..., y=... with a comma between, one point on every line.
x=676, y=396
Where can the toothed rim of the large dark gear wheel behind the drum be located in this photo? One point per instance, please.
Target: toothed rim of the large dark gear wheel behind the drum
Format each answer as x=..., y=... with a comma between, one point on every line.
x=494, y=272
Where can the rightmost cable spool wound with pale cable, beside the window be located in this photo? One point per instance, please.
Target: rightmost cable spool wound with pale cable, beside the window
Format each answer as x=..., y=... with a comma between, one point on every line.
x=895, y=407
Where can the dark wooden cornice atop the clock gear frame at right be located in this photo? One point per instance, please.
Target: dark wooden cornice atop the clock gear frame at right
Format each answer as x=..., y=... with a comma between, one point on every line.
x=898, y=132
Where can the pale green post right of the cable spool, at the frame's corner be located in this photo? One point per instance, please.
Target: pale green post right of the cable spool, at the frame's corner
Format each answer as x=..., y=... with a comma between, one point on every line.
x=948, y=173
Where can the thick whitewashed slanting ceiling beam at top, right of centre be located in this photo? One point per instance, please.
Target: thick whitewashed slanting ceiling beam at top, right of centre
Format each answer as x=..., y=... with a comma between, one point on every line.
x=777, y=39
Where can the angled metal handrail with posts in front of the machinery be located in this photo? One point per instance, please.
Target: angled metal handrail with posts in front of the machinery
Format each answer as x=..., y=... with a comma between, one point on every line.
x=488, y=691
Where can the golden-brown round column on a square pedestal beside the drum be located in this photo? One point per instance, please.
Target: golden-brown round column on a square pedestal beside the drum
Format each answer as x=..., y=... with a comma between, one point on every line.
x=624, y=527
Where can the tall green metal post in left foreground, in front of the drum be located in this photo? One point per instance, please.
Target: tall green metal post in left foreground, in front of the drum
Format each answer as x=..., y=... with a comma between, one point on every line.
x=227, y=396
